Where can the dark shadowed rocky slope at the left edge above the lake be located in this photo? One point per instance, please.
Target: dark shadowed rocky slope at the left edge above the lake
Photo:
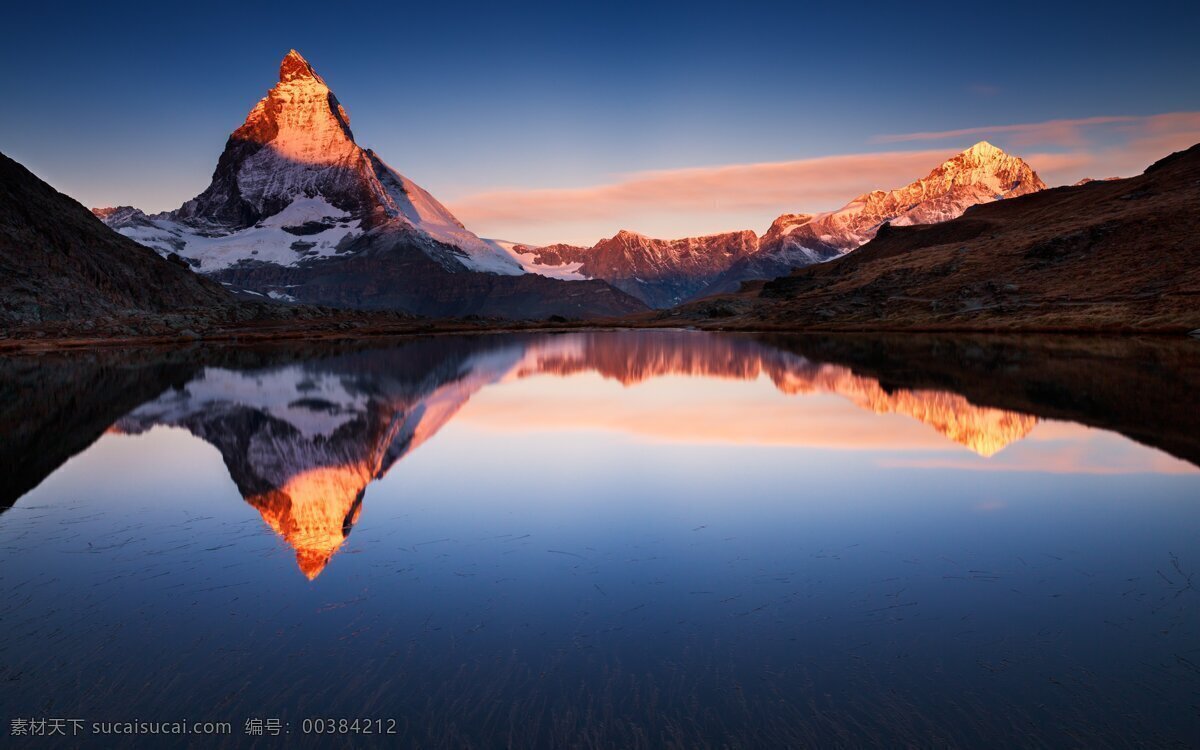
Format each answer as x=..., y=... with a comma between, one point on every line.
x=58, y=262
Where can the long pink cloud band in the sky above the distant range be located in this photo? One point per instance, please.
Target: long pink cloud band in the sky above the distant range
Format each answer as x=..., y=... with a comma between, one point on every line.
x=706, y=200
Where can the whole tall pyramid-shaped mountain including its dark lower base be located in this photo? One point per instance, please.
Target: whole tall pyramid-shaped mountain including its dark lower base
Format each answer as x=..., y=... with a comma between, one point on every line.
x=296, y=205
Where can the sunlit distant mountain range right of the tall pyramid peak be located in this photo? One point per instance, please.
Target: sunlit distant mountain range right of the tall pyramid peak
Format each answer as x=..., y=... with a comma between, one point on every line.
x=667, y=273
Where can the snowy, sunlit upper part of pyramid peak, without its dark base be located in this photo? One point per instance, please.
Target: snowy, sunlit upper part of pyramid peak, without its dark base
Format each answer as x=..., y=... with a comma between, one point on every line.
x=292, y=184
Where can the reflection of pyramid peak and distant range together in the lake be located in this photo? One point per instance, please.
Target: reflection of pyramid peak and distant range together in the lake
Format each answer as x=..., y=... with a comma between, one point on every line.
x=303, y=442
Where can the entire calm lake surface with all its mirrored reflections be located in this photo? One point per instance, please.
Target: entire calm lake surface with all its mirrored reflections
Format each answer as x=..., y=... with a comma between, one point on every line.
x=613, y=539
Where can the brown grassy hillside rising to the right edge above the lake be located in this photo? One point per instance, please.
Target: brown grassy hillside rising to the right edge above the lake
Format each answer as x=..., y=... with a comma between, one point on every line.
x=1115, y=255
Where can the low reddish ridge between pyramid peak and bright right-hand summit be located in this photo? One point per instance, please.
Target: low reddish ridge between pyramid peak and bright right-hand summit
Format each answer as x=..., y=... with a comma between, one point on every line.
x=661, y=273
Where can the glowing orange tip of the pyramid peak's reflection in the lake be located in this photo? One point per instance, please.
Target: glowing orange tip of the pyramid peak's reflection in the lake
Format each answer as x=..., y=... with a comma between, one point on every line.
x=315, y=512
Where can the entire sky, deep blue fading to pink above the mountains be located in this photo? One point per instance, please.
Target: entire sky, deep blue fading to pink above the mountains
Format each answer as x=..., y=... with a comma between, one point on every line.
x=555, y=123
